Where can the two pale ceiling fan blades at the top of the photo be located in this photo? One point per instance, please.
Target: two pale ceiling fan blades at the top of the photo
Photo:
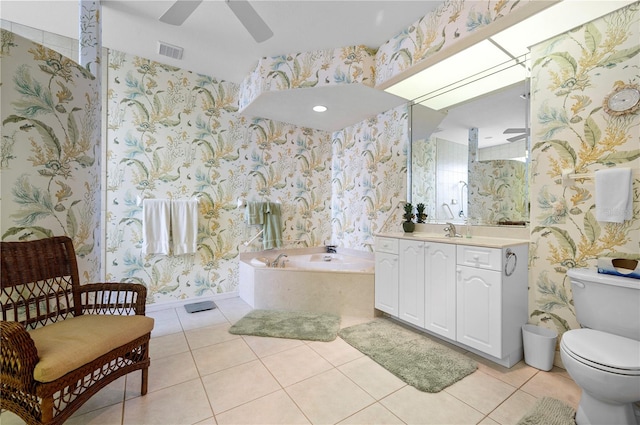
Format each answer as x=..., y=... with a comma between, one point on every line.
x=259, y=30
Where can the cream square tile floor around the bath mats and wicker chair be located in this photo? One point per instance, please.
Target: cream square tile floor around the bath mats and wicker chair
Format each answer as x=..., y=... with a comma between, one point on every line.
x=201, y=374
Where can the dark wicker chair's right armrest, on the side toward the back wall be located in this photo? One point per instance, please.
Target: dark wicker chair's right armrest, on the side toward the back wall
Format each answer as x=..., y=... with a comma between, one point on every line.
x=113, y=298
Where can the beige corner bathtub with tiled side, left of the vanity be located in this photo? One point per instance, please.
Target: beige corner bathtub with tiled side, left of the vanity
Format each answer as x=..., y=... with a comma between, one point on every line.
x=311, y=280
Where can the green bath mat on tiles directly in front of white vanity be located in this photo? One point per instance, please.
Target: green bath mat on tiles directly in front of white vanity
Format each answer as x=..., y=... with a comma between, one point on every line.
x=417, y=360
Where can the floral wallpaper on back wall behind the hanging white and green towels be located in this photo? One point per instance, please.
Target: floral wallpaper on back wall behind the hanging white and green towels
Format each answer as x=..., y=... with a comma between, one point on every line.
x=176, y=134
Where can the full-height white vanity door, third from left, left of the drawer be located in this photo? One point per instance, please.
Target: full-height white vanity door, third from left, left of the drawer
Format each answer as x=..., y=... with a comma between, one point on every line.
x=440, y=289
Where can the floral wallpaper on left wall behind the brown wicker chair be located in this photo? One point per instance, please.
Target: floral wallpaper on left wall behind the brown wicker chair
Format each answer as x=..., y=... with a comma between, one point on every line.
x=50, y=150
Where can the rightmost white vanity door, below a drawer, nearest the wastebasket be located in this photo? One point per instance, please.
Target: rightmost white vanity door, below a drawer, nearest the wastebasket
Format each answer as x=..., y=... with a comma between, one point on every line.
x=479, y=312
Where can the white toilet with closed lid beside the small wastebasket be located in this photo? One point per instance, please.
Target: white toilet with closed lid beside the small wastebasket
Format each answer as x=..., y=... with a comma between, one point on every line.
x=603, y=357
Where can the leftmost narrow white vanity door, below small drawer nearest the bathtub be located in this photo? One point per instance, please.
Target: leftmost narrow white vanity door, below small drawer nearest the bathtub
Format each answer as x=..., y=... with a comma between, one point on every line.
x=386, y=276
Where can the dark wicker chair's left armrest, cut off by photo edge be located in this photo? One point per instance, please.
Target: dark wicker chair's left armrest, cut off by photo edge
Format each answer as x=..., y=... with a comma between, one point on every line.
x=18, y=356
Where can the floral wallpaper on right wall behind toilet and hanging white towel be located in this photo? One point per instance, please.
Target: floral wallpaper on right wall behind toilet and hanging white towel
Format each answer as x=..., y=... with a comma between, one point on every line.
x=571, y=75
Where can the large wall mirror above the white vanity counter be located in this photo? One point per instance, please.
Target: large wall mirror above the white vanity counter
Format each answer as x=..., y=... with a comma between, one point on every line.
x=472, y=165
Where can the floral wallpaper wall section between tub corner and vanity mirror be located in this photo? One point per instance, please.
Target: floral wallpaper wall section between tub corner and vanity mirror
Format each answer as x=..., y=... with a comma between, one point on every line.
x=368, y=177
